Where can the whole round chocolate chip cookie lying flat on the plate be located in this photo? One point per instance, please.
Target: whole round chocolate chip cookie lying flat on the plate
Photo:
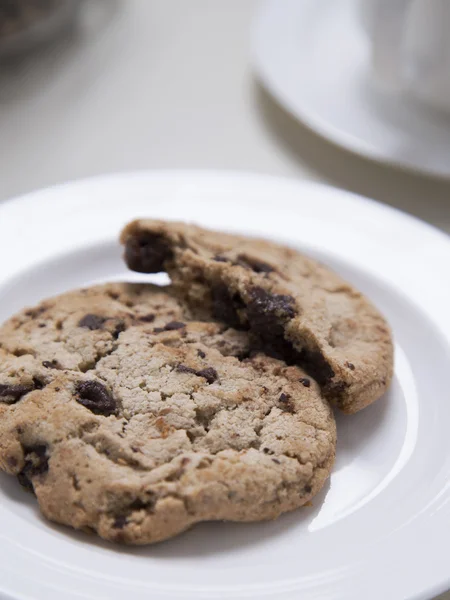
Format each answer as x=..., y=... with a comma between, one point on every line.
x=130, y=420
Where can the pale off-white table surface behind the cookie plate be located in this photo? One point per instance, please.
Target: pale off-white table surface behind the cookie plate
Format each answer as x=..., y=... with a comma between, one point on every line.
x=150, y=84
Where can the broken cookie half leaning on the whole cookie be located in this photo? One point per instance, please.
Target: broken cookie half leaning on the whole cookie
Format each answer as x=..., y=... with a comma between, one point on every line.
x=294, y=307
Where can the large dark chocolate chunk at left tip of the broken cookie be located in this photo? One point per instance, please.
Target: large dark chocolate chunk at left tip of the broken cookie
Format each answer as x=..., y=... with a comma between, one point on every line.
x=147, y=252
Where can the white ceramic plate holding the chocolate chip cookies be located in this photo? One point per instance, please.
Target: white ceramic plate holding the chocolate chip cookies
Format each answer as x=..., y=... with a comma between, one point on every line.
x=380, y=529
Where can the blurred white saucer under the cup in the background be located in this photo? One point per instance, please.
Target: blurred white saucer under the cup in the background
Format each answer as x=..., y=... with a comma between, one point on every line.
x=314, y=58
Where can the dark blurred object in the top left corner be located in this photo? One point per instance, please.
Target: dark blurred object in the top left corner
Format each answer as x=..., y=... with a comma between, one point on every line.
x=27, y=23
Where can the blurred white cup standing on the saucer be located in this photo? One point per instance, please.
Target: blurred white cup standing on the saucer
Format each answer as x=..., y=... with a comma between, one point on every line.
x=410, y=47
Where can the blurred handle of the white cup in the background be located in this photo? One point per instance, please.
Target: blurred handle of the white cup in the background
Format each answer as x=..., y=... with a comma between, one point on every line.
x=389, y=27
